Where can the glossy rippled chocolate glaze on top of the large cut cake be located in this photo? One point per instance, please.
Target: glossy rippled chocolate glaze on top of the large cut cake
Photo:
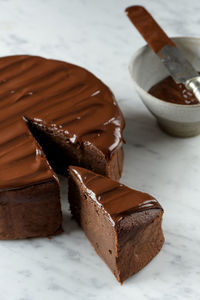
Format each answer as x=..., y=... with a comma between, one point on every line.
x=61, y=97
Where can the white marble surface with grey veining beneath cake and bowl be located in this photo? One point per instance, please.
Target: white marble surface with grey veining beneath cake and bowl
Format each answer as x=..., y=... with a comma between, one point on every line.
x=97, y=35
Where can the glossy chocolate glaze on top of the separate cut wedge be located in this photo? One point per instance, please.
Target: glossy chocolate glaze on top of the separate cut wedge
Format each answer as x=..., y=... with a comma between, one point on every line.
x=116, y=199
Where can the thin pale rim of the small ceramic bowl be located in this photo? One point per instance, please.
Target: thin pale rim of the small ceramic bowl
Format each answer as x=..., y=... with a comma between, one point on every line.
x=155, y=99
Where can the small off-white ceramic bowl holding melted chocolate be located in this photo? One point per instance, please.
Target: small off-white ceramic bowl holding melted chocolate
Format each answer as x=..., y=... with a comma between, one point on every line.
x=146, y=70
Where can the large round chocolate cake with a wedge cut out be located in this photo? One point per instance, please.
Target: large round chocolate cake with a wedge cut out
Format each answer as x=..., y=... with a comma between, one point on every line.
x=61, y=110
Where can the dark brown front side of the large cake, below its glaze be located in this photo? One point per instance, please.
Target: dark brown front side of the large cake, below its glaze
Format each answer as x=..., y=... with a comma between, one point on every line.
x=32, y=211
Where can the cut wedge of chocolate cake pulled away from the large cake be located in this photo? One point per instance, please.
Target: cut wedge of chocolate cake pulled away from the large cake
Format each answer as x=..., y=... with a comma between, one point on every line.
x=122, y=224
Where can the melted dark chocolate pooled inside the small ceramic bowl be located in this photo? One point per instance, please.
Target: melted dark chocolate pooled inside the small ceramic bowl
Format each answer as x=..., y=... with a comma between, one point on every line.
x=168, y=90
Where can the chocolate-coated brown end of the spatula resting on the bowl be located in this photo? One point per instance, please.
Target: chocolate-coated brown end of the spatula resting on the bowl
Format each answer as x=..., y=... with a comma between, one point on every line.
x=149, y=28
